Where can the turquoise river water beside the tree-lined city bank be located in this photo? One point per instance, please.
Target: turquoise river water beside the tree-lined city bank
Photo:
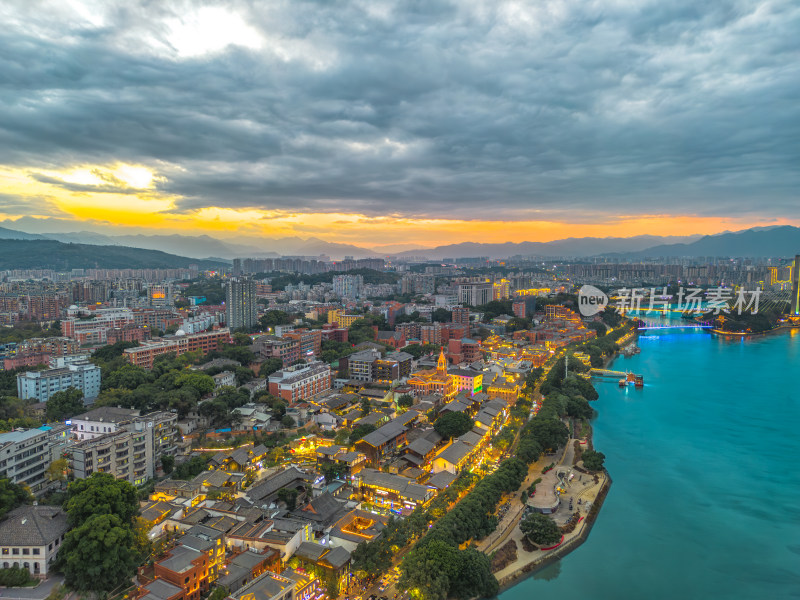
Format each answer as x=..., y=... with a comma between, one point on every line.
x=706, y=468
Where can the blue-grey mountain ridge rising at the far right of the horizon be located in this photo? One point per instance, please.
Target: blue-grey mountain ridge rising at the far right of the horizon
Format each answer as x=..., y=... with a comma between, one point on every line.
x=781, y=241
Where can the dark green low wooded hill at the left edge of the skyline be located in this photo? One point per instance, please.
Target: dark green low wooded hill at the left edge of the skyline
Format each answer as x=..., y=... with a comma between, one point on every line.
x=50, y=254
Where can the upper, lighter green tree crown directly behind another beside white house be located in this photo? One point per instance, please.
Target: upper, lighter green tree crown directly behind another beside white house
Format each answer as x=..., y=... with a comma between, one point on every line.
x=101, y=494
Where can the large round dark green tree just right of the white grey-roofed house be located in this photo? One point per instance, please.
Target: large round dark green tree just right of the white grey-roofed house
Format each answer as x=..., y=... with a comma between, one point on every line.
x=99, y=554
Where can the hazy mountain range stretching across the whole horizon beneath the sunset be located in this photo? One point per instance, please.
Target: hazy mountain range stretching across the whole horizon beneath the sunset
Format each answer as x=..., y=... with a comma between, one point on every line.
x=779, y=241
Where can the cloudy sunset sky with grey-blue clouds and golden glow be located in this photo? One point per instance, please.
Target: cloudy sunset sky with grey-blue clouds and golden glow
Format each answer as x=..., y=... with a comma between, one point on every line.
x=399, y=124
